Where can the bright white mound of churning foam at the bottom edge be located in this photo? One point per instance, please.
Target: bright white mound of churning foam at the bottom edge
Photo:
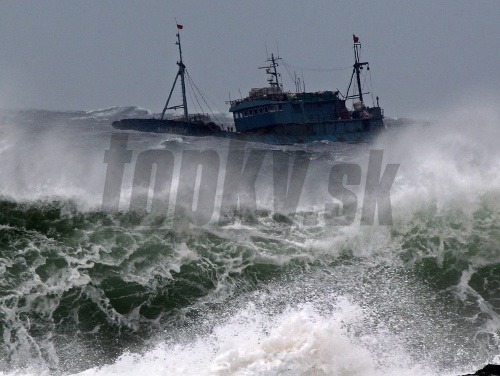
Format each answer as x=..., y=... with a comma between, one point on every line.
x=300, y=341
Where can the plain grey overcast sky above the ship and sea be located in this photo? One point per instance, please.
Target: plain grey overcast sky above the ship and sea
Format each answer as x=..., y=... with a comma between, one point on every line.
x=69, y=55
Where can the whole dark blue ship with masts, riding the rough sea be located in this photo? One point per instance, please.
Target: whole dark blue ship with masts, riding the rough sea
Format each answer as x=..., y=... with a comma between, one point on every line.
x=272, y=115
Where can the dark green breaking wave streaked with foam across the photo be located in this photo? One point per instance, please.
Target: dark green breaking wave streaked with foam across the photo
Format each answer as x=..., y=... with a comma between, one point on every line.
x=103, y=275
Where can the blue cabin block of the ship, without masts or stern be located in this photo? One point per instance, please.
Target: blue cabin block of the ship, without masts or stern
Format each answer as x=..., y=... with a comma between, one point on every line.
x=270, y=106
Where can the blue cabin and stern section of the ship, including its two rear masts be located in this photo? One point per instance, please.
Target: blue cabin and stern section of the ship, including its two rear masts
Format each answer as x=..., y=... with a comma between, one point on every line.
x=270, y=109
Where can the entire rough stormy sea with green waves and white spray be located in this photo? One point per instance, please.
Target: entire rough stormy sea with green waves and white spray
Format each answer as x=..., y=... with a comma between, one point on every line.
x=95, y=292
